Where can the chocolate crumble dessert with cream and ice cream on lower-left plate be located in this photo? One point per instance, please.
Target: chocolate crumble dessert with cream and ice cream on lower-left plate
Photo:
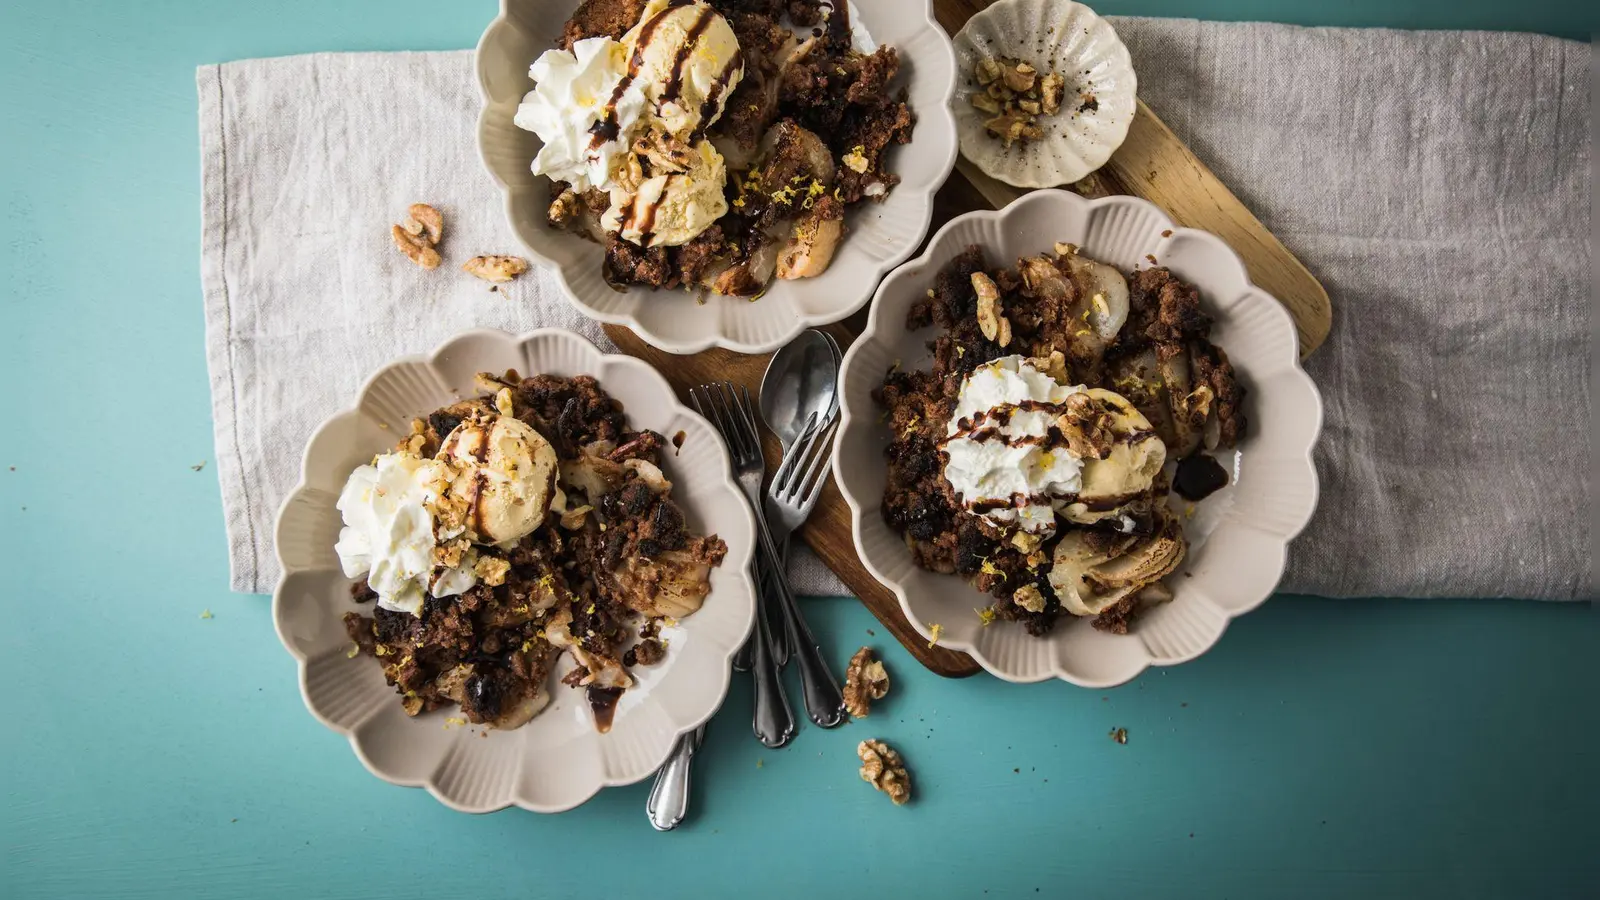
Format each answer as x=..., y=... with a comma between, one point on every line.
x=506, y=531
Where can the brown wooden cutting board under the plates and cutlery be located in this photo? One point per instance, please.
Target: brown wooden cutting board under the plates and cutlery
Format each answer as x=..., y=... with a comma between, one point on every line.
x=1151, y=164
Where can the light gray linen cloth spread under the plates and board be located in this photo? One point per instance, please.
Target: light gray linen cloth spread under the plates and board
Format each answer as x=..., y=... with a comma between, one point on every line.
x=1436, y=182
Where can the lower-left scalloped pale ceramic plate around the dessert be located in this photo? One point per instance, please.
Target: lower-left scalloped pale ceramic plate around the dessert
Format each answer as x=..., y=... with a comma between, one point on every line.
x=559, y=760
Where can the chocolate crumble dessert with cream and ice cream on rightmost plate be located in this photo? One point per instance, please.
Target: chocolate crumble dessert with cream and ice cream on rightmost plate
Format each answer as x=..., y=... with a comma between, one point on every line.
x=1038, y=456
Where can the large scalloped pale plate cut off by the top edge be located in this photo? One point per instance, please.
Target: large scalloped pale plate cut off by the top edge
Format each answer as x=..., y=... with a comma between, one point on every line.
x=881, y=235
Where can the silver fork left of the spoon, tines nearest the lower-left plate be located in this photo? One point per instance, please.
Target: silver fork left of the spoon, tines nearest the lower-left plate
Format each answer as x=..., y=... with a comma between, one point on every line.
x=729, y=409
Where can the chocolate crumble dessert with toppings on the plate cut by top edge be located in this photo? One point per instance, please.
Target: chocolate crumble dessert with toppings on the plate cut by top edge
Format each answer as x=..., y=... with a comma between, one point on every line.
x=710, y=147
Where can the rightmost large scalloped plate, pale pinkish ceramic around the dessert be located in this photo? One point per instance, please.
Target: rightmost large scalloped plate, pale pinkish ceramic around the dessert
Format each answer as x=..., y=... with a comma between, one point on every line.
x=1239, y=537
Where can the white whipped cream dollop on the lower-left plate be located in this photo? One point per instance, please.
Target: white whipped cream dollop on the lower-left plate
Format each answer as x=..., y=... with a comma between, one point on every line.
x=390, y=532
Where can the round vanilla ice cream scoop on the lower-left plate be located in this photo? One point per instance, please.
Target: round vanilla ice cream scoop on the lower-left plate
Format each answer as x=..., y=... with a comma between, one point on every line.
x=506, y=478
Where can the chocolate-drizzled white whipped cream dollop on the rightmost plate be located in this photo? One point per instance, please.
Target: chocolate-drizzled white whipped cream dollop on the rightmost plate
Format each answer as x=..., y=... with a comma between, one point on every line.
x=999, y=451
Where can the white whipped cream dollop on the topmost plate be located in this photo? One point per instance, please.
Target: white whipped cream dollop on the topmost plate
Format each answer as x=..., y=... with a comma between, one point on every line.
x=575, y=95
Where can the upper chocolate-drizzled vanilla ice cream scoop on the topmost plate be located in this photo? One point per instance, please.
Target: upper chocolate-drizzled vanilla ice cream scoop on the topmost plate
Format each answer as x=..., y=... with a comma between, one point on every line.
x=689, y=63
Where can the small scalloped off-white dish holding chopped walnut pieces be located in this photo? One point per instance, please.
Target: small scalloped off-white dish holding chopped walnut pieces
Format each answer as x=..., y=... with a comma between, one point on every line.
x=1070, y=39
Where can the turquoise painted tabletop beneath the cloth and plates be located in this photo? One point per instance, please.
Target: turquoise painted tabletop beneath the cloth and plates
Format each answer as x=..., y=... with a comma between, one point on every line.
x=1374, y=749
